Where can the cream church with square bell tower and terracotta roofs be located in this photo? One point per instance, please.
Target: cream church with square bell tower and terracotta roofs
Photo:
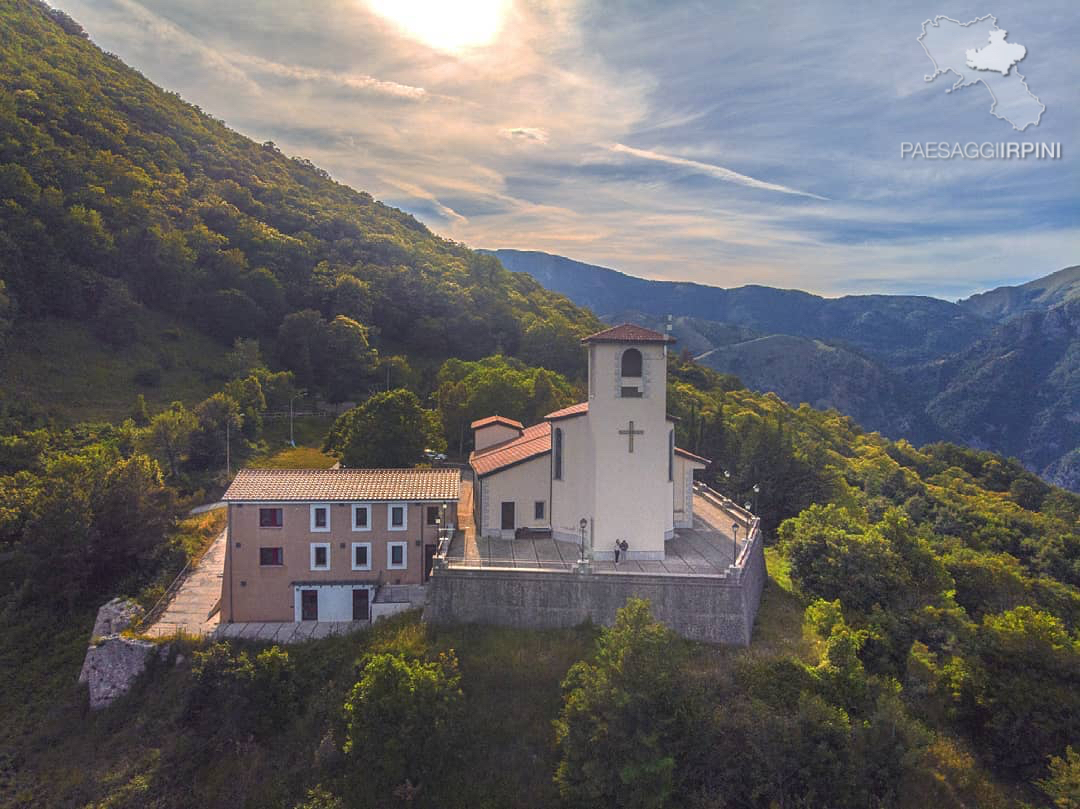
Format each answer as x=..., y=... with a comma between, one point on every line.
x=600, y=474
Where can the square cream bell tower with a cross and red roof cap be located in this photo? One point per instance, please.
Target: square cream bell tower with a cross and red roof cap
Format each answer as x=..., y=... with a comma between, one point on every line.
x=630, y=436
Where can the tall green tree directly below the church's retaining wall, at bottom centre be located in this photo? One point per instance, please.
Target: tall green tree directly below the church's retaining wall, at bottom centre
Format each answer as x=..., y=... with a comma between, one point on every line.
x=620, y=731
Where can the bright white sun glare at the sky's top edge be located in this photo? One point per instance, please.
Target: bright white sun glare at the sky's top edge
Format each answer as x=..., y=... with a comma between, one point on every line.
x=447, y=25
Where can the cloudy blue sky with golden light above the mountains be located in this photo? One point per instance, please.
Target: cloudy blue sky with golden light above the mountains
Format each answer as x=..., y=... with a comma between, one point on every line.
x=726, y=144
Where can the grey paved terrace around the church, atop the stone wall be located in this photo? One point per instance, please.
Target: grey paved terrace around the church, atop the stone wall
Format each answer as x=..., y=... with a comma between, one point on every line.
x=705, y=550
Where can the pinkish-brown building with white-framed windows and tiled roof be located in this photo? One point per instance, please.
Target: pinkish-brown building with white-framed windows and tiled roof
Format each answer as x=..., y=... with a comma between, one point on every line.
x=318, y=545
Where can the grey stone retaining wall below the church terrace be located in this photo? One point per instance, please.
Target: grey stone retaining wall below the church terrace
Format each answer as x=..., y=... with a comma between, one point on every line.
x=718, y=610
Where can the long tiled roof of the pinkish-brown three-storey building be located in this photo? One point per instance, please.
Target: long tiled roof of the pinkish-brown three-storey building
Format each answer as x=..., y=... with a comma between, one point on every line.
x=275, y=486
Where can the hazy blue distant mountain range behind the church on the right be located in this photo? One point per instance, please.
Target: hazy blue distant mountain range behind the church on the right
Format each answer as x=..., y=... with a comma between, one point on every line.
x=1000, y=371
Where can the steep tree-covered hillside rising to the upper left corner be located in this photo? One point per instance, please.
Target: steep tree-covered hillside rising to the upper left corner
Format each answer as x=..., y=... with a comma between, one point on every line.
x=117, y=197
